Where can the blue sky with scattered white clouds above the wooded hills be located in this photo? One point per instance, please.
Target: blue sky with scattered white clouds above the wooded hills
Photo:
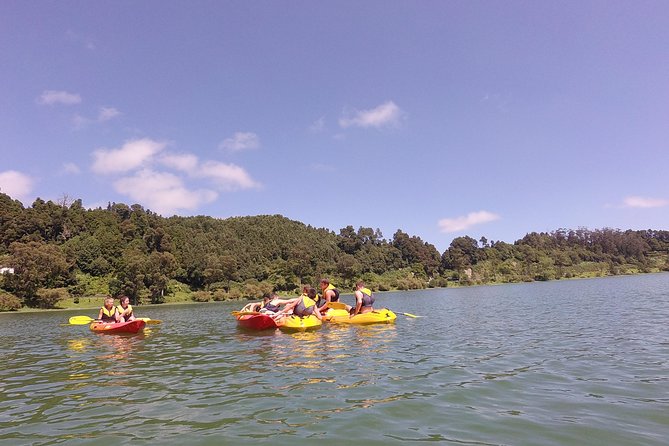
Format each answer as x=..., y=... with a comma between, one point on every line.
x=438, y=118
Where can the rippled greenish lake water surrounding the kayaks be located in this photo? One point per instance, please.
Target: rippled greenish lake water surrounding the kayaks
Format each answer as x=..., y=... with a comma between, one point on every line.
x=558, y=363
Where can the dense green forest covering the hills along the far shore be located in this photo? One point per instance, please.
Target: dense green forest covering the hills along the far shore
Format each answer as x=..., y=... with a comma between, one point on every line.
x=50, y=252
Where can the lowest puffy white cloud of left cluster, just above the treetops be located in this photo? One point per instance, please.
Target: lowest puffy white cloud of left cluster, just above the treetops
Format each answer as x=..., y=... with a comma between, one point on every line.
x=162, y=192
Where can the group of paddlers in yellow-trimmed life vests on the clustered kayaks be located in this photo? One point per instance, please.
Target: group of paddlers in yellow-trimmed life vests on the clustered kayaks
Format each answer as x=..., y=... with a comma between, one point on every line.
x=313, y=303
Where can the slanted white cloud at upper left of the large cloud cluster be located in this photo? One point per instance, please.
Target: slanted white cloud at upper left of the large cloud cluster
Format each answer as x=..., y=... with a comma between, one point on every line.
x=132, y=155
